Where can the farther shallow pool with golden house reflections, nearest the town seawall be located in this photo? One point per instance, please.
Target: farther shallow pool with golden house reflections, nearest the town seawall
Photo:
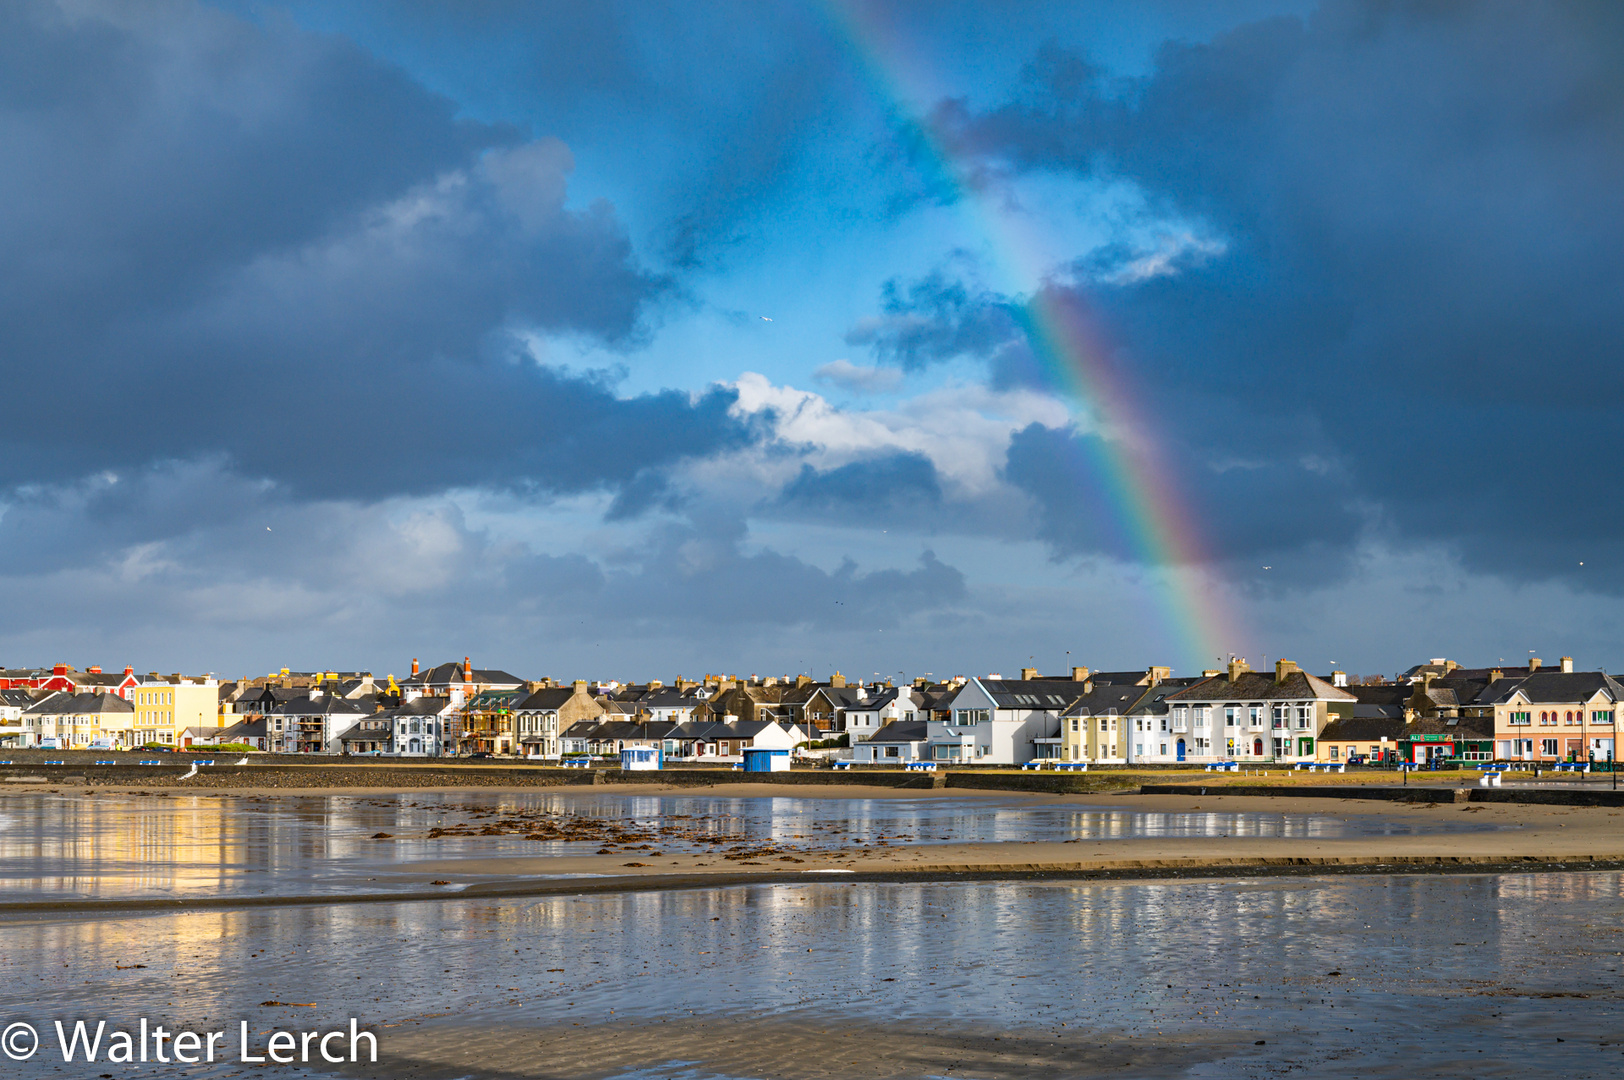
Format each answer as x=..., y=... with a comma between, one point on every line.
x=129, y=847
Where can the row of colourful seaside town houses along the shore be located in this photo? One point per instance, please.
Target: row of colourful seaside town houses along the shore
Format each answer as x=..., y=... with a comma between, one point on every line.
x=1436, y=714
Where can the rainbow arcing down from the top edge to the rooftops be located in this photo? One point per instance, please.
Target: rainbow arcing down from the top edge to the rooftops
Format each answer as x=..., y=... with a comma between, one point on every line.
x=1069, y=347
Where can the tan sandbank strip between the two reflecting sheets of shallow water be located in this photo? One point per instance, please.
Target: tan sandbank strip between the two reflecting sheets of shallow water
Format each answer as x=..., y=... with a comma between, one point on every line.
x=1508, y=837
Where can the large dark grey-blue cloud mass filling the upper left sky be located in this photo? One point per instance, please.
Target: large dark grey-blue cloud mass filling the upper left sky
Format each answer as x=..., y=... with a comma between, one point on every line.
x=259, y=246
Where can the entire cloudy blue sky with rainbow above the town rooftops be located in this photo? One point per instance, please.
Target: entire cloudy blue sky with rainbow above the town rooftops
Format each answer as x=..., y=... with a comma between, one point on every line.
x=628, y=340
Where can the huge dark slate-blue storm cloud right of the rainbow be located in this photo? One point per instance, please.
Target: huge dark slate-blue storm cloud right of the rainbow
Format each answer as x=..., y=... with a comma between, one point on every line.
x=1420, y=277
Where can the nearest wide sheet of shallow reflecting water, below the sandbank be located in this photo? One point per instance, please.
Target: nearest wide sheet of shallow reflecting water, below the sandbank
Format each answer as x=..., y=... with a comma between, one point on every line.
x=1371, y=975
